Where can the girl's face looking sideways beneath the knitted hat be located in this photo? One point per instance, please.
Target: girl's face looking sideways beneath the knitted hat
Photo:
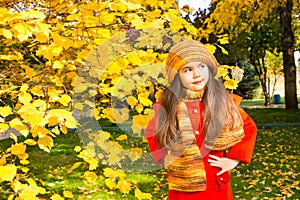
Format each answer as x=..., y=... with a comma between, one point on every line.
x=194, y=75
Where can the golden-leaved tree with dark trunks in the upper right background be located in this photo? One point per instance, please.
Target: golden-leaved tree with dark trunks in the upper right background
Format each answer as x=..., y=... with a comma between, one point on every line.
x=235, y=17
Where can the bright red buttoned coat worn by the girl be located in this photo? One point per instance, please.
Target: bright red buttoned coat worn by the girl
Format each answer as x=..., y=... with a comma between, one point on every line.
x=217, y=187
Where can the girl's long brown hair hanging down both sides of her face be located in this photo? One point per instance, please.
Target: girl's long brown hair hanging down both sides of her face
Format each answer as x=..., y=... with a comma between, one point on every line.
x=216, y=107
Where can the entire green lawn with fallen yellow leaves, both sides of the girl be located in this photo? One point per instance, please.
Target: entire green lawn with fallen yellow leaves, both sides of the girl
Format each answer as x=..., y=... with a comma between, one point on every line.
x=273, y=173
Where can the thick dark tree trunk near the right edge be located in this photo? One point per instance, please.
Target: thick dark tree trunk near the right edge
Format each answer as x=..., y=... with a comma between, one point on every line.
x=288, y=42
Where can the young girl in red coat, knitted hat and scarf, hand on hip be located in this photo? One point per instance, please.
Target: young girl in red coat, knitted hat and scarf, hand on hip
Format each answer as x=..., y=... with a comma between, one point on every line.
x=198, y=132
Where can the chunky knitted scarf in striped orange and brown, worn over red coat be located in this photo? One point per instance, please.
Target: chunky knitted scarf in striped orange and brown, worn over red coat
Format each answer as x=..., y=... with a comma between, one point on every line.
x=184, y=161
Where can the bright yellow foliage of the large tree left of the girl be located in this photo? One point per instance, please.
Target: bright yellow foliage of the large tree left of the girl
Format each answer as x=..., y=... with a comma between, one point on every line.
x=56, y=56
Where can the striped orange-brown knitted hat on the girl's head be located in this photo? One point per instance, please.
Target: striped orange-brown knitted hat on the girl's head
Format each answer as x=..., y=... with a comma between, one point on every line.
x=189, y=51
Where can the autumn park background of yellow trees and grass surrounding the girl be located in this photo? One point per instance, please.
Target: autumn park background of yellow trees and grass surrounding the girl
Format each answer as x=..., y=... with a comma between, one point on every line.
x=79, y=78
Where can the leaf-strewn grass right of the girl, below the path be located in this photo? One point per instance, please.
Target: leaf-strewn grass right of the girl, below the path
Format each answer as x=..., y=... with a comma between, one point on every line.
x=274, y=171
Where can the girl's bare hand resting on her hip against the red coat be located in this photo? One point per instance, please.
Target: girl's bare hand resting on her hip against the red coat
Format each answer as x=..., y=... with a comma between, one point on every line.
x=224, y=163
